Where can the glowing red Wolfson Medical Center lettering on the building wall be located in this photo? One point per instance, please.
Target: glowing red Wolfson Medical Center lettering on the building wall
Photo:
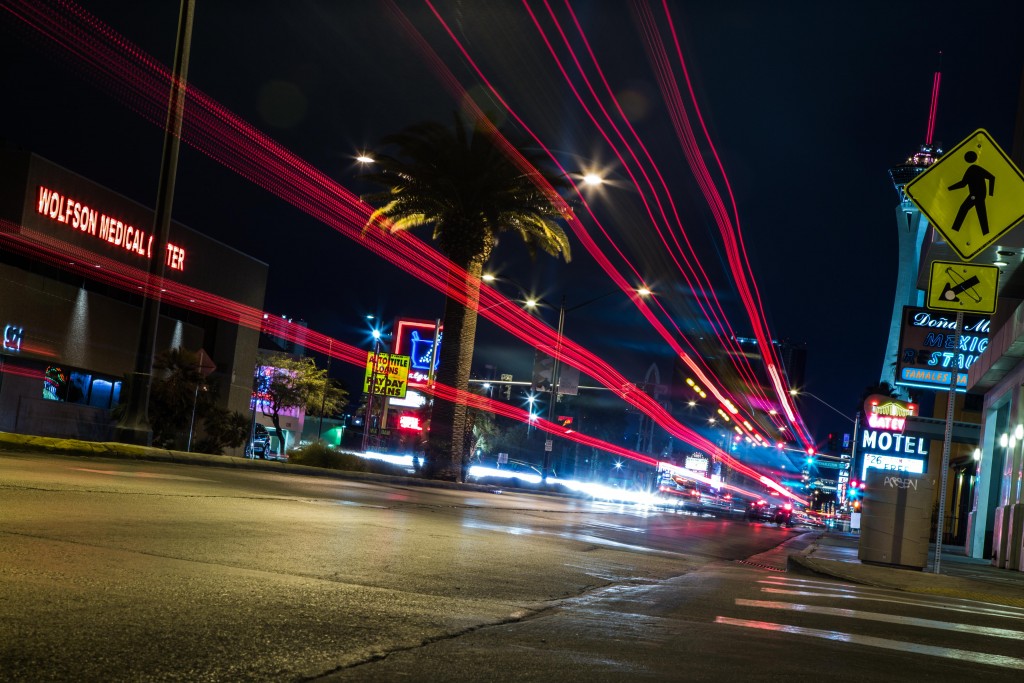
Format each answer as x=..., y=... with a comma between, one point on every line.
x=82, y=218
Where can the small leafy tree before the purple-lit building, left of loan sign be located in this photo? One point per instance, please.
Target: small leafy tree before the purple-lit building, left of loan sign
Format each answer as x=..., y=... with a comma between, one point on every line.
x=297, y=383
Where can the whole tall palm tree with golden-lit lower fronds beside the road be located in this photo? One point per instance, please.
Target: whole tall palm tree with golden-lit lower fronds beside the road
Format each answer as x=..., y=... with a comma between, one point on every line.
x=468, y=191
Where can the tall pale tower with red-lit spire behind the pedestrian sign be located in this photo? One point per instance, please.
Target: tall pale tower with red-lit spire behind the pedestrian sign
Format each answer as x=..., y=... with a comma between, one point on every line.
x=911, y=228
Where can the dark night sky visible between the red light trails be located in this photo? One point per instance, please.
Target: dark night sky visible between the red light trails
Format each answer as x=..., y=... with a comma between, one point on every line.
x=808, y=105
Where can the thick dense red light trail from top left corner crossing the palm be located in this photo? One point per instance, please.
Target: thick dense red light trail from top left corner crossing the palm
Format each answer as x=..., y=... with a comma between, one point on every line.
x=239, y=147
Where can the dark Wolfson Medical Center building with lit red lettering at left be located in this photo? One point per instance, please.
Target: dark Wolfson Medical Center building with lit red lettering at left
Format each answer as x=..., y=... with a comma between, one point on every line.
x=70, y=336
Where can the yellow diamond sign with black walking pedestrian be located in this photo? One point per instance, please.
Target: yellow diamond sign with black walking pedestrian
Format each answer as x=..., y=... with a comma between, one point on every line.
x=973, y=195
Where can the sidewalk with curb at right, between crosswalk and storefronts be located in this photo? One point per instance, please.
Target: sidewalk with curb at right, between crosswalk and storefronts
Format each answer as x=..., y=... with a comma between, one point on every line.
x=835, y=554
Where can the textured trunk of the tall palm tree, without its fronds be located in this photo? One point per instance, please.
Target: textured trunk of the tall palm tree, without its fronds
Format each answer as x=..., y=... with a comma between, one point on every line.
x=448, y=421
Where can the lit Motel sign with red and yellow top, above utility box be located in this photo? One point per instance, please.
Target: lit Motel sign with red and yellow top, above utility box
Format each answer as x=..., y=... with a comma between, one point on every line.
x=882, y=445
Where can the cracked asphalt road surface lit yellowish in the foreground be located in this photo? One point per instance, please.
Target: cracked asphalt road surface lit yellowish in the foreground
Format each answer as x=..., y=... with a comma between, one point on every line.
x=135, y=571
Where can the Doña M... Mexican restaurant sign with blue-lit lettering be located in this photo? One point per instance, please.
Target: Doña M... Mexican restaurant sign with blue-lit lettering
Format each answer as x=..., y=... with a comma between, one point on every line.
x=929, y=353
